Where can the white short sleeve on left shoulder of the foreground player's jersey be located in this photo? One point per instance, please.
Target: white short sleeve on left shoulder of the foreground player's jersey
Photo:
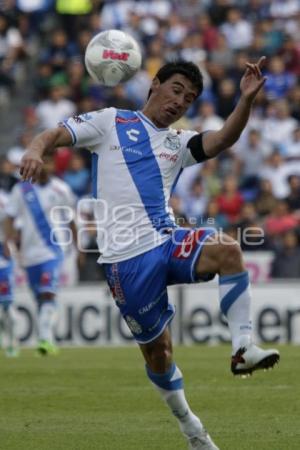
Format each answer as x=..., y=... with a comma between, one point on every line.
x=89, y=129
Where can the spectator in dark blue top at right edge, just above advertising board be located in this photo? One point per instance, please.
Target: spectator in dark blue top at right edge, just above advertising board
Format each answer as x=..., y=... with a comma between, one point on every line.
x=286, y=262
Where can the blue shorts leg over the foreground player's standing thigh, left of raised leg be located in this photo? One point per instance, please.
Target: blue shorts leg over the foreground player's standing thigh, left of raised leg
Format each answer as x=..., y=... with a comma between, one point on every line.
x=139, y=288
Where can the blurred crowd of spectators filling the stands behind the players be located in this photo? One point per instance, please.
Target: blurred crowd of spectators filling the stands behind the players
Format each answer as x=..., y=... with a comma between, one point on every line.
x=253, y=186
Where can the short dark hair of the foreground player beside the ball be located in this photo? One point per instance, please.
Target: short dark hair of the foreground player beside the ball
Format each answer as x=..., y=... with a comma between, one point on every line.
x=186, y=68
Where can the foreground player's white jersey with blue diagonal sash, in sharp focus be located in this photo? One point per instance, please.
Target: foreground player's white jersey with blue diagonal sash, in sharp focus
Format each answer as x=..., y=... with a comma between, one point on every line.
x=135, y=166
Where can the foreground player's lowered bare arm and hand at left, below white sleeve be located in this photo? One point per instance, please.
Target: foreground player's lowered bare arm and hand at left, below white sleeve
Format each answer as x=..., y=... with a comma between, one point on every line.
x=44, y=142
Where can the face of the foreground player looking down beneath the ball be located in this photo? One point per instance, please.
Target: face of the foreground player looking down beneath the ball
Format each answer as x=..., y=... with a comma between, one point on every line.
x=171, y=99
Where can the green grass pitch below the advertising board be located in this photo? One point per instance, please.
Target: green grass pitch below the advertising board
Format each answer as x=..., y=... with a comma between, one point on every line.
x=100, y=399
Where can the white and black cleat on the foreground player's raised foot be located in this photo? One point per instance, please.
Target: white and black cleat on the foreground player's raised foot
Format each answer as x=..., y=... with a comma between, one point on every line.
x=249, y=358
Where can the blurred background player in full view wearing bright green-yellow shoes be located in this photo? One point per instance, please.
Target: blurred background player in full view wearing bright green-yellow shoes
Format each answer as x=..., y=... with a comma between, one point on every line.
x=40, y=210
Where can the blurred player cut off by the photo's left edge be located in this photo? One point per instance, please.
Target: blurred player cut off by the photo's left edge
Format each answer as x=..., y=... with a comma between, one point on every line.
x=7, y=311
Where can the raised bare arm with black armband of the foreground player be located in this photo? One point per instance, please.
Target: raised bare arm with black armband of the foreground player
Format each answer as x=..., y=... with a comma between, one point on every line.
x=214, y=142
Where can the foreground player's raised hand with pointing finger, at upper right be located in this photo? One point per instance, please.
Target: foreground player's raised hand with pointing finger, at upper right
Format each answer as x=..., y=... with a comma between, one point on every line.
x=253, y=80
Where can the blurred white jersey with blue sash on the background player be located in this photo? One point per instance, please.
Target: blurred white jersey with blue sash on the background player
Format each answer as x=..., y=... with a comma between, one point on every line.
x=42, y=211
